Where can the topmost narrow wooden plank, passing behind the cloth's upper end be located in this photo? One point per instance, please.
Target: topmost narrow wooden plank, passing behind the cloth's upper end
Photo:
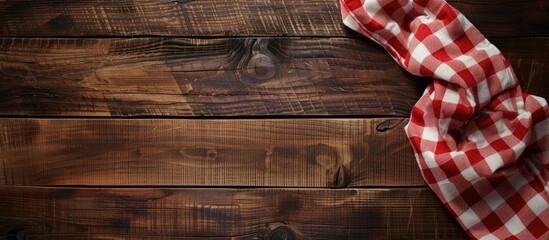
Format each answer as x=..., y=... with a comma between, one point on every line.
x=235, y=17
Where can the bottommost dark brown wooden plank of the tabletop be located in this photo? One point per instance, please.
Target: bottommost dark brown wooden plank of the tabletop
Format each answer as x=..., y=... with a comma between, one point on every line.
x=107, y=213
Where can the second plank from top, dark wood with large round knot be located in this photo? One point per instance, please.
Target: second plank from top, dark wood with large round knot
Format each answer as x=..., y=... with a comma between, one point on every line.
x=222, y=77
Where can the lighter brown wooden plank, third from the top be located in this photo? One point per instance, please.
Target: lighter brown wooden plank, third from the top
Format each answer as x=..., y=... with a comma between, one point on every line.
x=282, y=152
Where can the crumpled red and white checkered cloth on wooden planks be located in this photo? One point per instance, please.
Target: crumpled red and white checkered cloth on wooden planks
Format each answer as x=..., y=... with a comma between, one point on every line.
x=481, y=143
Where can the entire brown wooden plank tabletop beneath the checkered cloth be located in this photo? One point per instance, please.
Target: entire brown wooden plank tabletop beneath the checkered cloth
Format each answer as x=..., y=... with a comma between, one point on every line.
x=226, y=119
